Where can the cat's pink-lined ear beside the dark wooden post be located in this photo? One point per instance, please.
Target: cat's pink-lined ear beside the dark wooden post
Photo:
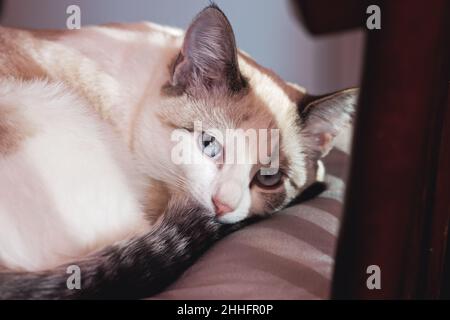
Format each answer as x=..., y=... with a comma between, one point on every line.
x=324, y=117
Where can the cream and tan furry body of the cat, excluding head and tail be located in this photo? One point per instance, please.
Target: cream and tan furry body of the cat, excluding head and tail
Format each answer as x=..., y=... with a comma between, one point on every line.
x=69, y=134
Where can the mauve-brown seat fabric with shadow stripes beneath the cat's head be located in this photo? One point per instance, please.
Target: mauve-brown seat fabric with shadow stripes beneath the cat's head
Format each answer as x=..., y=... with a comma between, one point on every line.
x=289, y=256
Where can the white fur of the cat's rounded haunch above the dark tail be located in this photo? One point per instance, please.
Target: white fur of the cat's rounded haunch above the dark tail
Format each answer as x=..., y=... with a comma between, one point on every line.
x=69, y=189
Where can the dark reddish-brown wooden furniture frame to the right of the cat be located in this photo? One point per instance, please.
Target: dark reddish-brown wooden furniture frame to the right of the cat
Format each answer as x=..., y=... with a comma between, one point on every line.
x=398, y=198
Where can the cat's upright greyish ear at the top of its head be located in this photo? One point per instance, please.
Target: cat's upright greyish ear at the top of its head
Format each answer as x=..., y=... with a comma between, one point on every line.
x=208, y=57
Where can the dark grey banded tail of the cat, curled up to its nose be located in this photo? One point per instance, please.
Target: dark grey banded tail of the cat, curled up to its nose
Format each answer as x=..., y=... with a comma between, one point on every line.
x=135, y=268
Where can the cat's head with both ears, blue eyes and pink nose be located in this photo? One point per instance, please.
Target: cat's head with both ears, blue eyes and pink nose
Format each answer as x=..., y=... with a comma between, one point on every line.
x=215, y=89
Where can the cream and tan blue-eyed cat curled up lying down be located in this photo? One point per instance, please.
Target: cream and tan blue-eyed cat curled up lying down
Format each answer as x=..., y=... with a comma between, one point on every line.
x=87, y=122
